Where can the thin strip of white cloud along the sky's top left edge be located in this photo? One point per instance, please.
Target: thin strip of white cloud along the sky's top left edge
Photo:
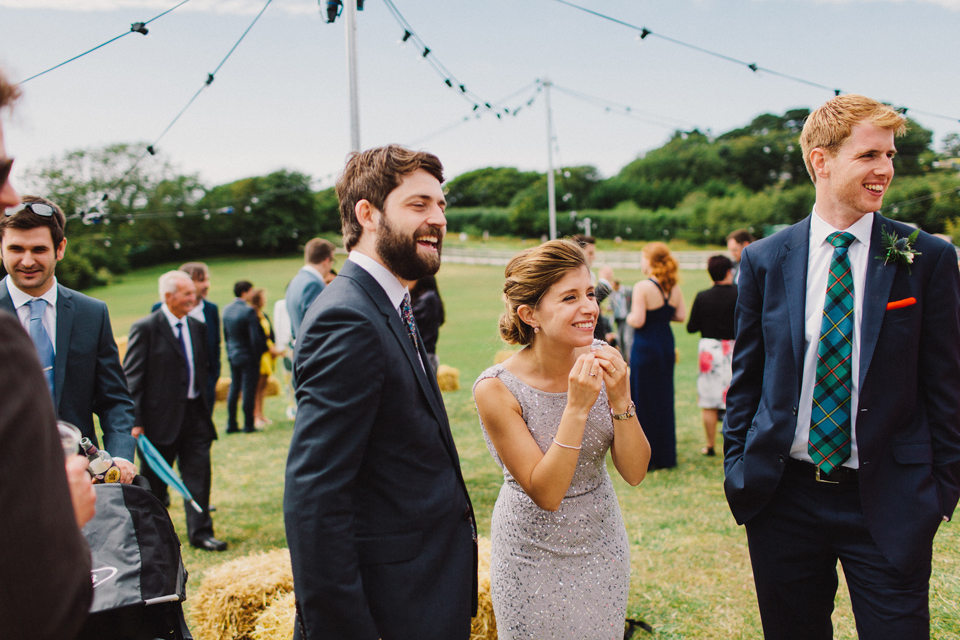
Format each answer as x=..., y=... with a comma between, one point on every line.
x=231, y=7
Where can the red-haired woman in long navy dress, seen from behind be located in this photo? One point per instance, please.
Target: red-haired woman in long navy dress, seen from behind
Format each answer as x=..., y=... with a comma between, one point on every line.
x=657, y=302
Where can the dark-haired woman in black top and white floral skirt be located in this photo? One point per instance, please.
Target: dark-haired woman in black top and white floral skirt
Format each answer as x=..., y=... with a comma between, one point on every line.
x=712, y=315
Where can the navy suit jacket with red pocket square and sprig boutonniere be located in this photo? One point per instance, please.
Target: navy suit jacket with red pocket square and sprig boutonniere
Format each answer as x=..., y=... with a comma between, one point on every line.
x=908, y=415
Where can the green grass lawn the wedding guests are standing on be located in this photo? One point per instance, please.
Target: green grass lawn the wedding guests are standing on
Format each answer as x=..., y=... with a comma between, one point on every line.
x=691, y=574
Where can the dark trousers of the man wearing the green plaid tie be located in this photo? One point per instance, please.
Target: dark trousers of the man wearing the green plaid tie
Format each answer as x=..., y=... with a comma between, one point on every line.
x=795, y=543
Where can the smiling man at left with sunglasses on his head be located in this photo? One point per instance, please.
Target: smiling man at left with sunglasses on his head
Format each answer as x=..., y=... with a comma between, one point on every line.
x=70, y=330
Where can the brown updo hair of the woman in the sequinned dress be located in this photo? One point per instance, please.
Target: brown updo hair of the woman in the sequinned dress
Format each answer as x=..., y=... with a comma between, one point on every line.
x=529, y=275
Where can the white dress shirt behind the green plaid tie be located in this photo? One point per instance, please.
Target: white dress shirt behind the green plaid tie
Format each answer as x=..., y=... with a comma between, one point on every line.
x=818, y=269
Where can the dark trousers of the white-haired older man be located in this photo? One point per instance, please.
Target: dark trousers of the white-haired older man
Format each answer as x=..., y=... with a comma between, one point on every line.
x=192, y=454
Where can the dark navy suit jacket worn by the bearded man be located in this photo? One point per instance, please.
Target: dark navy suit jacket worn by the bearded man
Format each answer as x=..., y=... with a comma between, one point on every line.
x=377, y=515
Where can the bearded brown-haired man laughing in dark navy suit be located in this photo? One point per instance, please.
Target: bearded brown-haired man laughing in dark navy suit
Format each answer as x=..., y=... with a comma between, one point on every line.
x=379, y=523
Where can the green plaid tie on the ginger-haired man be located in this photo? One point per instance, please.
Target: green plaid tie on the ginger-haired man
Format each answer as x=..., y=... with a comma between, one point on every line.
x=830, y=419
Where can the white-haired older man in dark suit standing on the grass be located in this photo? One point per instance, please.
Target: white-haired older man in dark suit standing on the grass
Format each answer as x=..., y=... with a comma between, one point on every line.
x=166, y=366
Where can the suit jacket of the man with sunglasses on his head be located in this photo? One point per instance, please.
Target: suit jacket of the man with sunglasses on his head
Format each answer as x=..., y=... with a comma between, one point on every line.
x=88, y=378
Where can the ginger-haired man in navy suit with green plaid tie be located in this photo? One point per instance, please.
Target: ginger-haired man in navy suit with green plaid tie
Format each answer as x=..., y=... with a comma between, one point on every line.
x=843, y=417
